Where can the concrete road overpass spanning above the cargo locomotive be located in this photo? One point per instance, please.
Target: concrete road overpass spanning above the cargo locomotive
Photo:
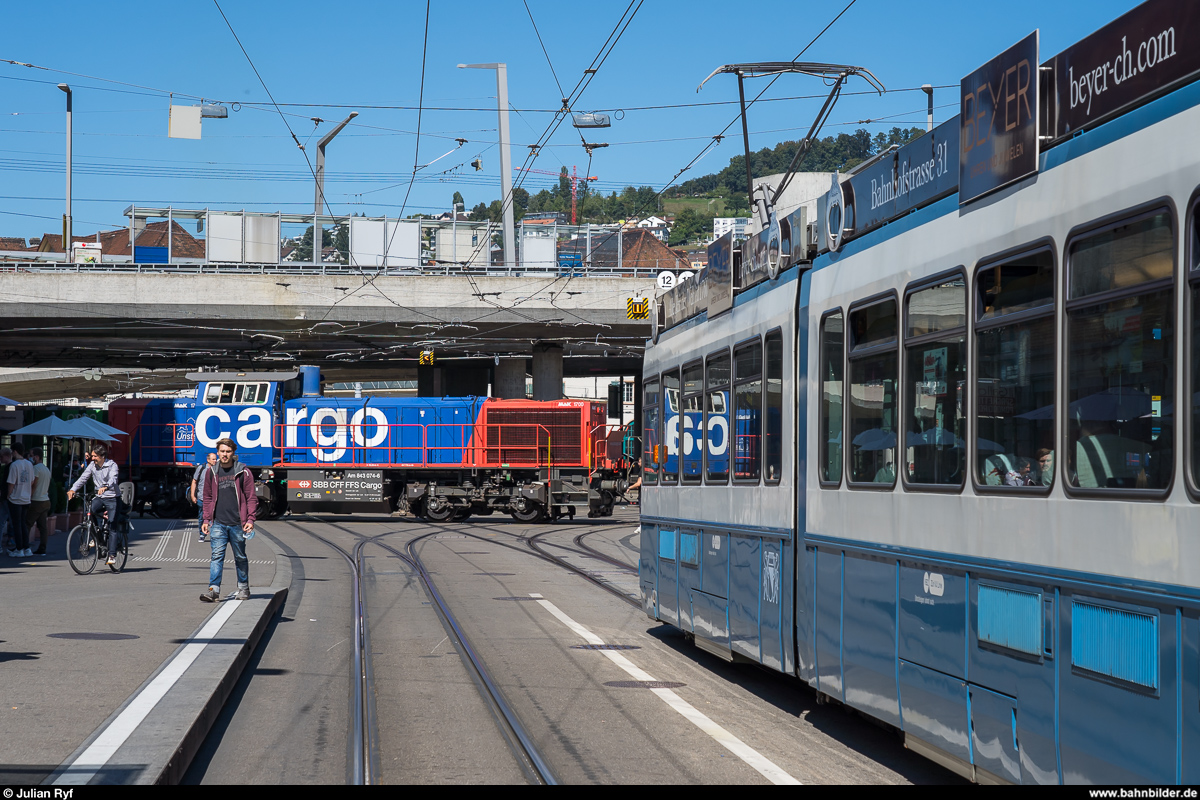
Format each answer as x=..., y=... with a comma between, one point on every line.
x=374, y=332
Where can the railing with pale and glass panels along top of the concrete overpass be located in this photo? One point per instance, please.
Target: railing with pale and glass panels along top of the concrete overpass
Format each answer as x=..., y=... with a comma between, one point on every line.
x=267, y=244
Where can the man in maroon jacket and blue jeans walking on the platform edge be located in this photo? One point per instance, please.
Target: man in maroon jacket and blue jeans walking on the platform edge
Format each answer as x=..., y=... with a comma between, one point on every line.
x=230, y=509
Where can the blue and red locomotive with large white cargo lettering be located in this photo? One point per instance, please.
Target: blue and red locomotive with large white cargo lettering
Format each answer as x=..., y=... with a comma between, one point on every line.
x=441, y=459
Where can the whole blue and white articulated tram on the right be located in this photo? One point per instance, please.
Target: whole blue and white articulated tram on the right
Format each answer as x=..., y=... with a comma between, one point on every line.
x=963, y=491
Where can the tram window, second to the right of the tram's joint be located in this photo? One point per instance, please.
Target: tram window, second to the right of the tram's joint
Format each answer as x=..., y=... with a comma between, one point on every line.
x=873, y=387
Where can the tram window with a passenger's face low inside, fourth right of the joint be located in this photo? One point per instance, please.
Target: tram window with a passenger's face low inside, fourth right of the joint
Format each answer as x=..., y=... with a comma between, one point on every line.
x=1016, y=372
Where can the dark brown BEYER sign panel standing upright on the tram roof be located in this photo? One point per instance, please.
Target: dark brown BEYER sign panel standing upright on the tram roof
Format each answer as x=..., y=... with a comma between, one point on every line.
x=999, y=123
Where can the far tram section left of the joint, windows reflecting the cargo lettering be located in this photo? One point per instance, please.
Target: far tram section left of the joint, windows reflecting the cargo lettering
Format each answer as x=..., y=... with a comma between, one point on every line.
x=718, y=545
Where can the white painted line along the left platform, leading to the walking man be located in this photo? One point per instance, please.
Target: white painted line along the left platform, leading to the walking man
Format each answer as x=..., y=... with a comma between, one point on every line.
x=93, y=760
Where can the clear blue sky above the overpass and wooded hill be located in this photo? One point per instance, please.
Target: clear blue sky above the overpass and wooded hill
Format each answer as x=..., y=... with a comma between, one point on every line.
x=365, y=53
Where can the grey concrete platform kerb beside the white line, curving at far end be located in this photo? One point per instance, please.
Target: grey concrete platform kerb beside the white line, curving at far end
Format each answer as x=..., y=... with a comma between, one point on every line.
x=171, y=736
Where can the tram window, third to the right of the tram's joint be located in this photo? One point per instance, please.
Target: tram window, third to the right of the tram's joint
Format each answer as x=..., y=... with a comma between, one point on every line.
x=935, y=444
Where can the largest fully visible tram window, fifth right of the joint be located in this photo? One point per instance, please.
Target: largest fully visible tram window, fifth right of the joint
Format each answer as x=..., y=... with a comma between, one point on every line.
x=1121, y=358
